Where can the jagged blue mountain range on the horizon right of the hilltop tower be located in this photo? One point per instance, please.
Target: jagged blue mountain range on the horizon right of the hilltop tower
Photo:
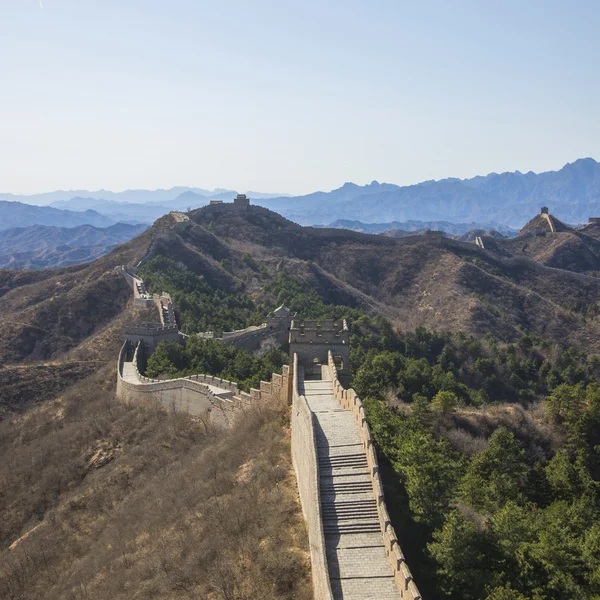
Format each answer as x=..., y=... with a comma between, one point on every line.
x=572, y=193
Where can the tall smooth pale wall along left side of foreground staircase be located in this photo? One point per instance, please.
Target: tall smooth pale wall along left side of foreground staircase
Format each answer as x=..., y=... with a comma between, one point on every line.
x=306, y=466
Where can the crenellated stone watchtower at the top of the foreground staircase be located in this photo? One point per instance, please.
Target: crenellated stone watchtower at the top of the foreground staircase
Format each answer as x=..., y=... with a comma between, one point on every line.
x=312, y=342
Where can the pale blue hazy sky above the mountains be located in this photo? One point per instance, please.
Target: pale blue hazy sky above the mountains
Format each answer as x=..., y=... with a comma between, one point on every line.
x=292, y=96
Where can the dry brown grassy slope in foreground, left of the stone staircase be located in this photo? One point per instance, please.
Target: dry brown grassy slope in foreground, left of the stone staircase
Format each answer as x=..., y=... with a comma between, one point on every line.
x=136, y=502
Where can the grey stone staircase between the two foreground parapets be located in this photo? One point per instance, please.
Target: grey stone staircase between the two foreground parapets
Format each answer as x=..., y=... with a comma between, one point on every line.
x=356, y=558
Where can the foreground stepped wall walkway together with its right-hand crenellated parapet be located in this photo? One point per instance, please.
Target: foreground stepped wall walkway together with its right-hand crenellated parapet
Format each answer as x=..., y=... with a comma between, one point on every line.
x=364, y=560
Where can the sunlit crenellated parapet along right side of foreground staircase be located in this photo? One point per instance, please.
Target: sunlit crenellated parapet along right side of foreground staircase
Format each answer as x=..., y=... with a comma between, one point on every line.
x=349, y=400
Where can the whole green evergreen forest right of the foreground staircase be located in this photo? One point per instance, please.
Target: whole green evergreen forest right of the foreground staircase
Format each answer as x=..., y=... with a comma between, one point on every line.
x=496, y=524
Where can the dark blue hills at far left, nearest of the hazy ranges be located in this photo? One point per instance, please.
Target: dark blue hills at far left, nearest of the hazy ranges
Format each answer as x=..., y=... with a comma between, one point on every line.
x=43, y=247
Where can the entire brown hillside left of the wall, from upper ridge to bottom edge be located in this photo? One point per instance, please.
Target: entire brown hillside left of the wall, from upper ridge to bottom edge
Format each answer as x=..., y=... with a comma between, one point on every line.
x=99, y=498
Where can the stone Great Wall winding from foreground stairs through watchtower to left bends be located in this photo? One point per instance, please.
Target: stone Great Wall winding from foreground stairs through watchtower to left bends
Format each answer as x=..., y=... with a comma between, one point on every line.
x=355, y=553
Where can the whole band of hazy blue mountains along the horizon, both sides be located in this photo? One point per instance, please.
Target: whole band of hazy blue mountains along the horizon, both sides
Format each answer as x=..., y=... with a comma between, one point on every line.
x=499, y=201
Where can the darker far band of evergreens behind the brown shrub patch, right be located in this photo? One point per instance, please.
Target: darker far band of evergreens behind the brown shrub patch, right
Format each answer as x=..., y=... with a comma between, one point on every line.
x=474, y=371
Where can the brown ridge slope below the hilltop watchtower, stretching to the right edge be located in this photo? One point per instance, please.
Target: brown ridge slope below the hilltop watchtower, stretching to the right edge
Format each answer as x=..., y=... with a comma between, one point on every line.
x=419, y=280
